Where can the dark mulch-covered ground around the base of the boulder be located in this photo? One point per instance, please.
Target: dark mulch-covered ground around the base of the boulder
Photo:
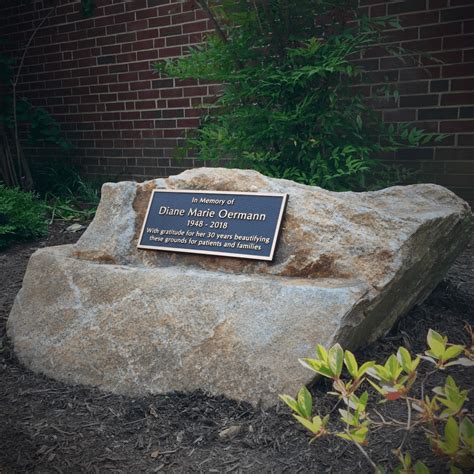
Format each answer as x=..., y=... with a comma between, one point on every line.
x=49, y=427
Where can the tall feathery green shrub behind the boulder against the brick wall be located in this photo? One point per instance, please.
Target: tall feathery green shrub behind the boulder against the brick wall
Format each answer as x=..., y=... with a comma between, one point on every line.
x=289, y=107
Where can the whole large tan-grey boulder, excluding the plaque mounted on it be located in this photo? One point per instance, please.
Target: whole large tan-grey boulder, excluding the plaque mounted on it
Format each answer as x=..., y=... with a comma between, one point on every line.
x=133, y=321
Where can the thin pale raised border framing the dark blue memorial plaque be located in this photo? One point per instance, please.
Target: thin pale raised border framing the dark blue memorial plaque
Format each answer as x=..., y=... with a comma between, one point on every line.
x=284, y=202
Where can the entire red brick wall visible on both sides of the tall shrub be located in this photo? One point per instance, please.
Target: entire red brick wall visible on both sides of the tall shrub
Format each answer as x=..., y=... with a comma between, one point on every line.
x=94, y=75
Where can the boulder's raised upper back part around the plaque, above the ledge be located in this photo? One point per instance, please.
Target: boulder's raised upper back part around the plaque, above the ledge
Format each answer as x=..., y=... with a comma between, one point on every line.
x=324, y=234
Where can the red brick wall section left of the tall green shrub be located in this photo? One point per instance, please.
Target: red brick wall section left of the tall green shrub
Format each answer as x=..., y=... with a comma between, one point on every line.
x=95, y=77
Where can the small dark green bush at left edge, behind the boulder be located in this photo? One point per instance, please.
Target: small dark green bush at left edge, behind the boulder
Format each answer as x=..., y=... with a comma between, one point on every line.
x=22, y=216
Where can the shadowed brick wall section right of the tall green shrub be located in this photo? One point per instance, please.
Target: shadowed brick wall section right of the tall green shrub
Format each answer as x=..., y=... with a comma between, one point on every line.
x=436, y=88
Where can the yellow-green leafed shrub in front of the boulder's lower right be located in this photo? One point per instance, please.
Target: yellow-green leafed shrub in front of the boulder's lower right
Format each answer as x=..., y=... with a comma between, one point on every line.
x=443, y=417
